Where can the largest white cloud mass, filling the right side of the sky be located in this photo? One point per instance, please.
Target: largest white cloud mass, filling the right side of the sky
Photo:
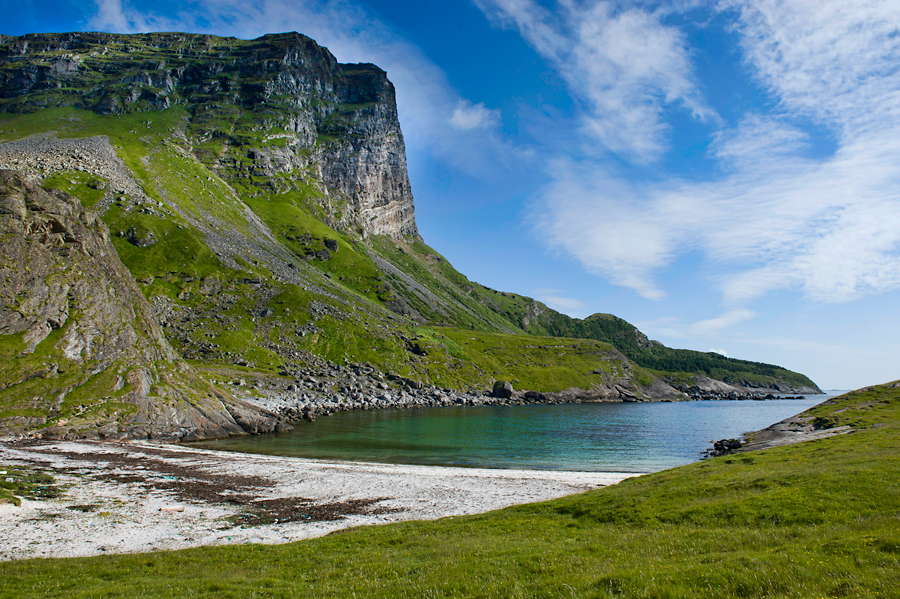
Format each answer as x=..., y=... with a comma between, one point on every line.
x=828, y=227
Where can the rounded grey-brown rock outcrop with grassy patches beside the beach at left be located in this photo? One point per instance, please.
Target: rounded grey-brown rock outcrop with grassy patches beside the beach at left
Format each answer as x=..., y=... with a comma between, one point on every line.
x=86, y=331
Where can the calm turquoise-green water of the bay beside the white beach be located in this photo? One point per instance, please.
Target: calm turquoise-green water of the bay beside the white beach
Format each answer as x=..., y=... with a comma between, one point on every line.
x=617, y=437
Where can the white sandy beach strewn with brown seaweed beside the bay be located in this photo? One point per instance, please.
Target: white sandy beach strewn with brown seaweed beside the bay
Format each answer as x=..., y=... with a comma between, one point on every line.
x=137, y=497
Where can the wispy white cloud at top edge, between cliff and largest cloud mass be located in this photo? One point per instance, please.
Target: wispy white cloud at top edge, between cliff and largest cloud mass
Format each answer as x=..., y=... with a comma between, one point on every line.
x=624, y=65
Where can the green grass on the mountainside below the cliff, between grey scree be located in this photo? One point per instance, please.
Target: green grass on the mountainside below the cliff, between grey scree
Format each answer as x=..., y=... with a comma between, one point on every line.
x=357, y=328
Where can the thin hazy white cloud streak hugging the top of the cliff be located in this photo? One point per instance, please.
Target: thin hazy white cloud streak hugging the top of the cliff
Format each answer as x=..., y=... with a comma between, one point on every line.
x=431, y=111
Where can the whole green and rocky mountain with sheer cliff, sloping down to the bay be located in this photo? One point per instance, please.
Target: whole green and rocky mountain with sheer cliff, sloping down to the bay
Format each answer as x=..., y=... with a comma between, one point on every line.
x=257, y=197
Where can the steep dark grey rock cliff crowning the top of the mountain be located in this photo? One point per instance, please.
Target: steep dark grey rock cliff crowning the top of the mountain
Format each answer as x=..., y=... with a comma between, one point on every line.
x=335, y=125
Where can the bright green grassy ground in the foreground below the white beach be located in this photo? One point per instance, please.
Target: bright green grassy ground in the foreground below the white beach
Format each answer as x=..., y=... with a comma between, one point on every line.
x=819, y=519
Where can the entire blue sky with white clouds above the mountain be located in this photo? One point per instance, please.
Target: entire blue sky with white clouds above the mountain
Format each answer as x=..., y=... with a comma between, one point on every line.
x=723, y=175
